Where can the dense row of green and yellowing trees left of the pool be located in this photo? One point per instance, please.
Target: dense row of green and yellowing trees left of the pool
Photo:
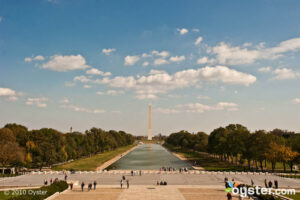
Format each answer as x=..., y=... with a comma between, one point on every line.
x=45, y=147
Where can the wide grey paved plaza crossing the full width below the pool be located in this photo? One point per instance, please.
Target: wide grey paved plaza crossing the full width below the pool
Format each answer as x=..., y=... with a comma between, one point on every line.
x=151, y=179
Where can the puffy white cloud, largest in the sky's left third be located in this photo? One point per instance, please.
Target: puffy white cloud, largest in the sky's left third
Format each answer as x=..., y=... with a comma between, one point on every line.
x=62, y=63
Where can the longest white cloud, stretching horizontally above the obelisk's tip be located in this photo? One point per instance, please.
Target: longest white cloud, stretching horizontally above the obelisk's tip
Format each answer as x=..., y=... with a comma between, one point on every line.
x=159, y=82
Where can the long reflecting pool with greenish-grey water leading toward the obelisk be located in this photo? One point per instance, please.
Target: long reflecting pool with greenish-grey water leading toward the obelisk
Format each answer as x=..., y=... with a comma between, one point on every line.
x=150, y=157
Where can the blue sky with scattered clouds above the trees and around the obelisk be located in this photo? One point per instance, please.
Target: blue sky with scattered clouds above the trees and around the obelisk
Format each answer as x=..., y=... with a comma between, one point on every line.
x=200, y=64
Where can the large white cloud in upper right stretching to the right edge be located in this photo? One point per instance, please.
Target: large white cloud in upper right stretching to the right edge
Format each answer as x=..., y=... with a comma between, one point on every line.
x=236, y=55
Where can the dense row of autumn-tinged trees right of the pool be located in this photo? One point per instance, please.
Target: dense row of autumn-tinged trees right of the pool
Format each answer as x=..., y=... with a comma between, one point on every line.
x=235, y=143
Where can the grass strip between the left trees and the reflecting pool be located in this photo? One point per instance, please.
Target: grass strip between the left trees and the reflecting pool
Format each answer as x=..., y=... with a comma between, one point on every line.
x=91, y=163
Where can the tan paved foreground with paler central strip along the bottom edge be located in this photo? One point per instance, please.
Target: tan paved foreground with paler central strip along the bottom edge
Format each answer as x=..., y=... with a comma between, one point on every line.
x=146, y=192
